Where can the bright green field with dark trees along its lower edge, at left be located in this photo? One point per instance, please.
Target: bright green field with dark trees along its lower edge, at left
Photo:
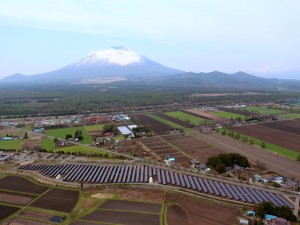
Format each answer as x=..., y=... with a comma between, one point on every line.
x=62, y=132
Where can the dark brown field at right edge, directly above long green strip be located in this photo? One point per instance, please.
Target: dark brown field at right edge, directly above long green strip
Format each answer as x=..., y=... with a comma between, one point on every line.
x=277, y=137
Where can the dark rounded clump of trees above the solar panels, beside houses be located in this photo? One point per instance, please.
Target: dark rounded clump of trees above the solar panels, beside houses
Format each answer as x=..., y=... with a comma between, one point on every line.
x=220, y=162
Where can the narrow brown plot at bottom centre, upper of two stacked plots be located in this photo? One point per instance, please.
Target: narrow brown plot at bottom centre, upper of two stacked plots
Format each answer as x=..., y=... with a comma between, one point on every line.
x=131, y=206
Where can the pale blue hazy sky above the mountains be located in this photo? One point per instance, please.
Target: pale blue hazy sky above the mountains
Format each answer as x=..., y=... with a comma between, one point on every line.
x=192, y=35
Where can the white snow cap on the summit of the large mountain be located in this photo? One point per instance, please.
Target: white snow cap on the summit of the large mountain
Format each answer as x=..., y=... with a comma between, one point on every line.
x=114, y=55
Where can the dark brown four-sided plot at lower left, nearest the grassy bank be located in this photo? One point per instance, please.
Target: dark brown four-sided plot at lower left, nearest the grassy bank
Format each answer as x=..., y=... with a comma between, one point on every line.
x=58, y=199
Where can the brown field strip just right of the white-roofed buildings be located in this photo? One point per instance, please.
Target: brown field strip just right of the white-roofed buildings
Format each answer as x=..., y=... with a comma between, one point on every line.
x=152, y=124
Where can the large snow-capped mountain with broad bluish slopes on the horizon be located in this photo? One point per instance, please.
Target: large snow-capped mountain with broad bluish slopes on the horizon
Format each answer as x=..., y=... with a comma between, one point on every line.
x=118, y=62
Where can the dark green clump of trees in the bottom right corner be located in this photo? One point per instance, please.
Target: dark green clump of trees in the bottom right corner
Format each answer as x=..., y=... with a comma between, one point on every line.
x=280, y=211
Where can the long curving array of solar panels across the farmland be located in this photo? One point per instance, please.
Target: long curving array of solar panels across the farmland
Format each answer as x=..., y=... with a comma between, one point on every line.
x=142, y=173
